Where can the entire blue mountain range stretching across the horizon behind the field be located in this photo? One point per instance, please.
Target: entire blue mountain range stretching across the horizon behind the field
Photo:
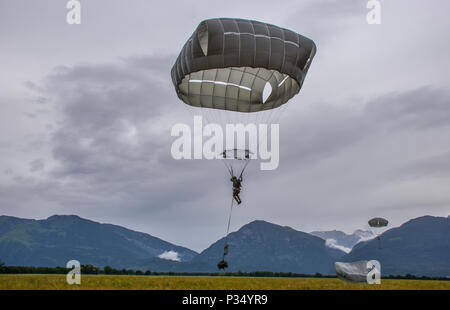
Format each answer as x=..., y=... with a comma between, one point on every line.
x=420, y=247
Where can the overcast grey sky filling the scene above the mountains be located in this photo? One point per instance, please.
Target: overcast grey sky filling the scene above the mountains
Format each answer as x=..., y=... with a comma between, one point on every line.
x=86, y=114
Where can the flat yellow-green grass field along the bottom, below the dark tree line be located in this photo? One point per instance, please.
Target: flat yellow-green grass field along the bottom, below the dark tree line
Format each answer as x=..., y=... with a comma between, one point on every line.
x=103, y=282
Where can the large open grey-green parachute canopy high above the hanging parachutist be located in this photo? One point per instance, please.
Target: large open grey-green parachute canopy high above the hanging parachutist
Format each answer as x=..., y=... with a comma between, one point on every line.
x=230, y=64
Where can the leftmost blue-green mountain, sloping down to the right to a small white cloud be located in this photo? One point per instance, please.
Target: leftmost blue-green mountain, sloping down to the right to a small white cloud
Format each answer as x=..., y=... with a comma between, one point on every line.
x=60, y=238
